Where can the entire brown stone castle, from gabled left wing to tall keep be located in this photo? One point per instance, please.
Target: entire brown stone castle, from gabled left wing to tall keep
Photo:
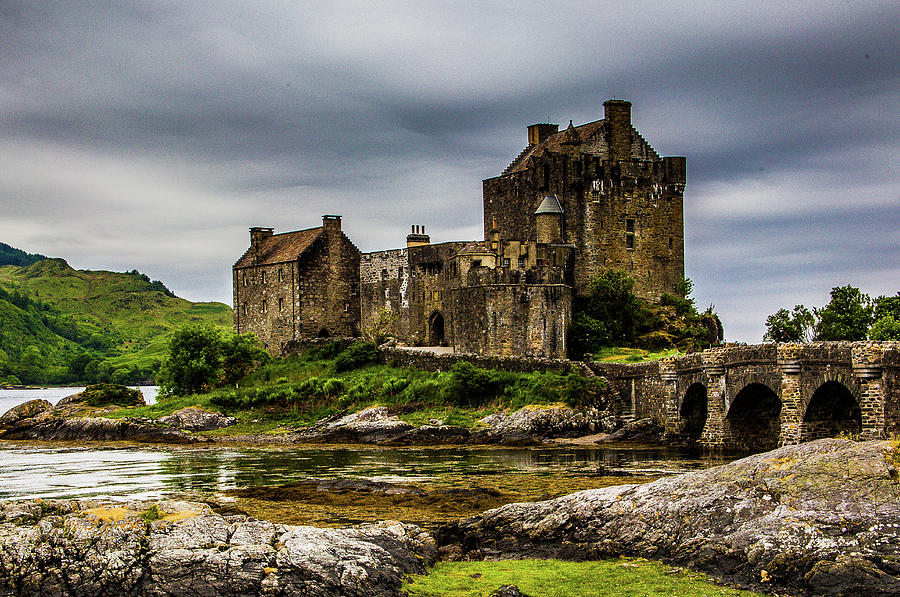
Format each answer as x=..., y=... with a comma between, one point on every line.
x=573, y=203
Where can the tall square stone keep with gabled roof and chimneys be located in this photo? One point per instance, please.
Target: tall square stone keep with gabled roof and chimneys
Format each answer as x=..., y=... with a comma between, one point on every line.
x=621, y=204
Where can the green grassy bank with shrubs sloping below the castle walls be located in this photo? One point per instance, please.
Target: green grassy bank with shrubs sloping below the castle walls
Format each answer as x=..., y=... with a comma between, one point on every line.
x=300, y=390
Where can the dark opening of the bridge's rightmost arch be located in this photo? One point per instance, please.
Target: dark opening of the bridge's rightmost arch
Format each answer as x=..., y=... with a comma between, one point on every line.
x=832, y=411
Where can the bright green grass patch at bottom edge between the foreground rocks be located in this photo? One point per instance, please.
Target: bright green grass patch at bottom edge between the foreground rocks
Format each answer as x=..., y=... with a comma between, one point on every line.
x=555, y=578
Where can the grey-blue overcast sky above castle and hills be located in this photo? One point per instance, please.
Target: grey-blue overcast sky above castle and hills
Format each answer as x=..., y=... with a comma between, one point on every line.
x=152, y=135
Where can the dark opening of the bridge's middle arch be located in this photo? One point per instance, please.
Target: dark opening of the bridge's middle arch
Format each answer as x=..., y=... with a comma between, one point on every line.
x=753, y=420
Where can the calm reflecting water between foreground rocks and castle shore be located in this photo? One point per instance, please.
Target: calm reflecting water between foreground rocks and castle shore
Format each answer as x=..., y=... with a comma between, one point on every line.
x=29, y=471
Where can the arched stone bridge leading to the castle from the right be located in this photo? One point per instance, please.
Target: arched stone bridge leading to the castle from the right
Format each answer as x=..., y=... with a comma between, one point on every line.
x=760, y=397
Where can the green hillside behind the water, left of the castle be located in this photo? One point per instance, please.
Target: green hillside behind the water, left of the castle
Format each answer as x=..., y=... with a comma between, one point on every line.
x=58, y=324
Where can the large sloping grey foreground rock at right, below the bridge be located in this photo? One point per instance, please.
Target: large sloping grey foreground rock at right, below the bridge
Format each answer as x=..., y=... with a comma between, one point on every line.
x=819, y=518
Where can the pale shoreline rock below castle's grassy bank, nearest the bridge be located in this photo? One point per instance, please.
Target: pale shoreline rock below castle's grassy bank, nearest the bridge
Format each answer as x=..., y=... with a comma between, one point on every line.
x=533, y=424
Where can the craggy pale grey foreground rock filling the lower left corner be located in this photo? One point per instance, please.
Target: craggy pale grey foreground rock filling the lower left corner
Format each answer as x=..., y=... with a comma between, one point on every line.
x=185, y=549
